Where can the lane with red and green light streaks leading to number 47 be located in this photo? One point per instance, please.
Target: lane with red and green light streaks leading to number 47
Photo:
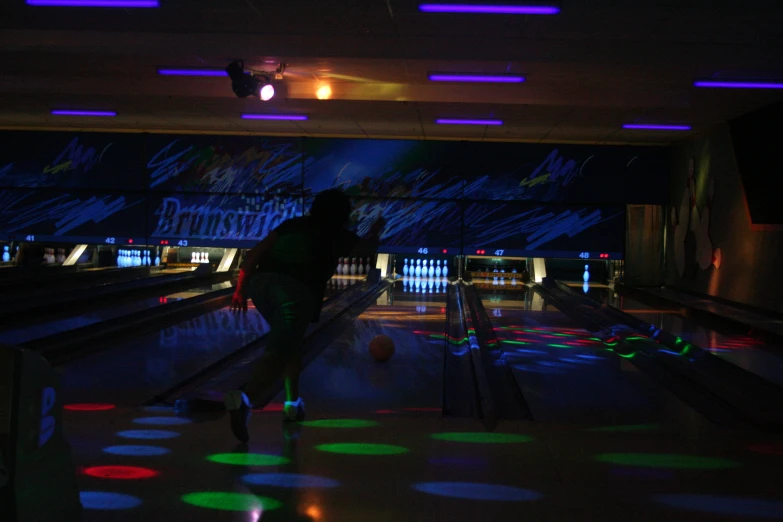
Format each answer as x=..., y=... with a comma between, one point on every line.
x=568, y=376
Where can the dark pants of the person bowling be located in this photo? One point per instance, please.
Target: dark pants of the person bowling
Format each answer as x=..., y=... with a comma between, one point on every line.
x=287, y=305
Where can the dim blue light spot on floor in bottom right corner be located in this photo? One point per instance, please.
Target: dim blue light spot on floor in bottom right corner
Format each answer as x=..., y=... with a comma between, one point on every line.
x=737, y=506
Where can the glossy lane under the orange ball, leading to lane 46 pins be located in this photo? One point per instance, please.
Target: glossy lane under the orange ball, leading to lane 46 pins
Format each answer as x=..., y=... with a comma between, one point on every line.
x=345, y=379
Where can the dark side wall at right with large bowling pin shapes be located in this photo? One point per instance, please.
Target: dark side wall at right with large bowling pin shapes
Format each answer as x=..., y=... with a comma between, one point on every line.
x=712, y=245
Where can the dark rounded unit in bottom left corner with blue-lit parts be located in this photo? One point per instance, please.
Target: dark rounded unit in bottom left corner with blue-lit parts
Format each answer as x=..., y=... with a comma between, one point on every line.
x=37, y=473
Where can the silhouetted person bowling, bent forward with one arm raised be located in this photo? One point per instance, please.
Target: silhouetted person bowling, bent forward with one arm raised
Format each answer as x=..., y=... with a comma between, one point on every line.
x=286, y=276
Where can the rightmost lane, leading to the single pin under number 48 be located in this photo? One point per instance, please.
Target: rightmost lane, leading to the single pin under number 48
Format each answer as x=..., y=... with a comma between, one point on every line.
x=749, y=353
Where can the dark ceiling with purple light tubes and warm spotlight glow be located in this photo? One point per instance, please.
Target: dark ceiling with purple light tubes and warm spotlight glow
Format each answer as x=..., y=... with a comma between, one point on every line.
x=596, y=65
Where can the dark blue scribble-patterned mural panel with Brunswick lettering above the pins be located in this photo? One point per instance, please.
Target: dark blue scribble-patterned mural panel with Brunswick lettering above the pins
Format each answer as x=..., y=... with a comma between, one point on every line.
x=232, y=190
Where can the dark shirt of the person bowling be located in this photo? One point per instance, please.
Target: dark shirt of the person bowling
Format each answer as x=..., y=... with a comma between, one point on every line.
x=308, y=252
